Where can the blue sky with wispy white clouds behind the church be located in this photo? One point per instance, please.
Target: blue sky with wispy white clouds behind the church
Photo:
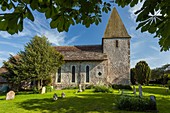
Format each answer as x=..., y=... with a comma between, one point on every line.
x=143, y=45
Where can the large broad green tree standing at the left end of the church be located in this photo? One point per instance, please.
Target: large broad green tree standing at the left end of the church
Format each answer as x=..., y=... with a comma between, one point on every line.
x=38, y=61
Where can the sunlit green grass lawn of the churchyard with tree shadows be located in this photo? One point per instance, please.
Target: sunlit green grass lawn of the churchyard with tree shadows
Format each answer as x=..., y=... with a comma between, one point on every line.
x=84, y=102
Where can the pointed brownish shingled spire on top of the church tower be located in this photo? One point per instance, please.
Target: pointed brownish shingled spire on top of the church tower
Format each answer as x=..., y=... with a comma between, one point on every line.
x=115, y=27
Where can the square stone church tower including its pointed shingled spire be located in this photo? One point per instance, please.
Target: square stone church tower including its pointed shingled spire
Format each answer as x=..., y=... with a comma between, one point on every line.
x=116, y=44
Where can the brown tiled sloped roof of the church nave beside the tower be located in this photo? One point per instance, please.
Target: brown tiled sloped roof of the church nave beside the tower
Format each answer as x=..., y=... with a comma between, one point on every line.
x=82, y=53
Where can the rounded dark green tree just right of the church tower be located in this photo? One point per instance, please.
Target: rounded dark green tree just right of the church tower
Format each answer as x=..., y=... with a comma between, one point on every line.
x=143, y=72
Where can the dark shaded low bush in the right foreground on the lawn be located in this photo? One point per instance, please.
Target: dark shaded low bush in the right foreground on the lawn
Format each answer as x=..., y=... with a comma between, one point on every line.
x=134, y=104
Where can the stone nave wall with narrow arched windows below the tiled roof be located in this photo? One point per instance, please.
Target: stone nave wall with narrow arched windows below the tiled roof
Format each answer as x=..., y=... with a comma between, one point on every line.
x=98, y=73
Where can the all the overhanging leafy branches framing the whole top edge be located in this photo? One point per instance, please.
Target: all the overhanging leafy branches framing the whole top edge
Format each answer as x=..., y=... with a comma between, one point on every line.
x=64, y=13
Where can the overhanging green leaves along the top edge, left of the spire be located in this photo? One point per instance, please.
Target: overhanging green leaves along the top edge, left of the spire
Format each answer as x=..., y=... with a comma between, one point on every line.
x=62, y=13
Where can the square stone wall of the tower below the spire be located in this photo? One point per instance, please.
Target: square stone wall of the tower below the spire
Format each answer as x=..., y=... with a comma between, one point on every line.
x=119, y=60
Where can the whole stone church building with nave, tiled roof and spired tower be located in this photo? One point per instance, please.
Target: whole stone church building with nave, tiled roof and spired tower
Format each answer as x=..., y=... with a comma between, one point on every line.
x=98, y=64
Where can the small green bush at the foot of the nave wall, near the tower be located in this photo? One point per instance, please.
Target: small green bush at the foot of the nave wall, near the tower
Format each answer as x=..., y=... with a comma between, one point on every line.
x=102, y=89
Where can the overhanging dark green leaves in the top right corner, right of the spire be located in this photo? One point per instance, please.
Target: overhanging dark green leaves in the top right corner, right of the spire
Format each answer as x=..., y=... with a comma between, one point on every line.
x=153, y=17
